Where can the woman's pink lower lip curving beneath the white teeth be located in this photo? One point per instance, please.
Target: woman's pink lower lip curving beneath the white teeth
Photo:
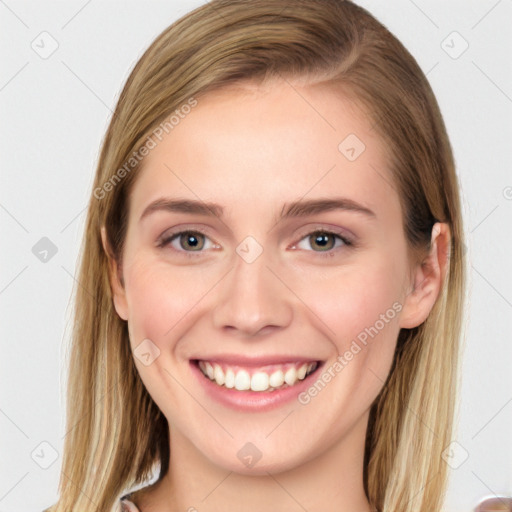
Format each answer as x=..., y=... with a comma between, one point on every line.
x=252, y=401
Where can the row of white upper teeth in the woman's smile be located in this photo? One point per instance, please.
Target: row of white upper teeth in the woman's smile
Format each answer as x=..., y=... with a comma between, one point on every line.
x=260, y=380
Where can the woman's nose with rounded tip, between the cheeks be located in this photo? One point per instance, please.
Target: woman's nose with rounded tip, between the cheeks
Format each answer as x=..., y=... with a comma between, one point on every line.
x=253, y=300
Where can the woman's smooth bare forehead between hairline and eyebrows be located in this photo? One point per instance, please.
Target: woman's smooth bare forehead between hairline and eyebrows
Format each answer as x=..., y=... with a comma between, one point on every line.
x=271, y=143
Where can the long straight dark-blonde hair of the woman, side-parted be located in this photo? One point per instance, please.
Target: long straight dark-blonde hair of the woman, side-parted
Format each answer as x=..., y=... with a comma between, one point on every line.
x=116, y=435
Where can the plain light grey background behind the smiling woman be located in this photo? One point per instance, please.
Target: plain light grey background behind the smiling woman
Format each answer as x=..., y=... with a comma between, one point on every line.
x=54, y=113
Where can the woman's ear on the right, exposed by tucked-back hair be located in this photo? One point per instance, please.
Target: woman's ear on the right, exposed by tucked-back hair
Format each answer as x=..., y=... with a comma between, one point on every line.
x=428, y=277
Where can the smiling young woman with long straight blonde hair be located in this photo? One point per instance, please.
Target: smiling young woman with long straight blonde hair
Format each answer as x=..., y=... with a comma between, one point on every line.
x=272, y=276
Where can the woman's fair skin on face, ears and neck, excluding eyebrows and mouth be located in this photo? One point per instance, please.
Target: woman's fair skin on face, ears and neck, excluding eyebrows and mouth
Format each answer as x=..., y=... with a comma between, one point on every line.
x=291, y=300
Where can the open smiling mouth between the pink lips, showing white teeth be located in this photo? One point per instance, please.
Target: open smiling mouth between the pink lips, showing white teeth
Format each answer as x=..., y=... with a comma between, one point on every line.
x=262, y=379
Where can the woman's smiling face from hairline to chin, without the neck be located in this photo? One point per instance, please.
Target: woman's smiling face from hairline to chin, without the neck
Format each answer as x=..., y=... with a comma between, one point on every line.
x=259, y=287
